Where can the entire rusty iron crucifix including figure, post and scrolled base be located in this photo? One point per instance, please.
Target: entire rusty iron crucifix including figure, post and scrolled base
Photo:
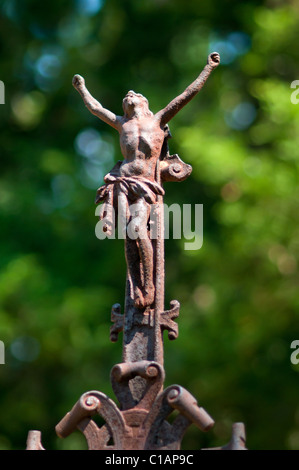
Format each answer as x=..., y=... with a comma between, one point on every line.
x=133, y=191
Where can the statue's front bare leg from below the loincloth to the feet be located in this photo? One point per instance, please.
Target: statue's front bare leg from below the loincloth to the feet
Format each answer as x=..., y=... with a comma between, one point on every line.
x=138, y=229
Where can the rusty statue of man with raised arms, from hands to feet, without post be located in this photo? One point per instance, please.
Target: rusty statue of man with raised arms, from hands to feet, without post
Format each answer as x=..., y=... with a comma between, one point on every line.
x=143, y=142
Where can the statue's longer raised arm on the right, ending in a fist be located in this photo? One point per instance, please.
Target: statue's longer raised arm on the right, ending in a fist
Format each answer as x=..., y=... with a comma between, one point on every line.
x=166, y=114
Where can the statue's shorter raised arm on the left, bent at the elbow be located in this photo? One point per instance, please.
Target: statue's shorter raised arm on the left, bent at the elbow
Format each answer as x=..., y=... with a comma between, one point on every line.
x=94, y=106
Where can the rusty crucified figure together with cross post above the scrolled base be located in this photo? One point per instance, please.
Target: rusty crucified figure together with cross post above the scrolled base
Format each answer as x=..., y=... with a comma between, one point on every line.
x=137, y=181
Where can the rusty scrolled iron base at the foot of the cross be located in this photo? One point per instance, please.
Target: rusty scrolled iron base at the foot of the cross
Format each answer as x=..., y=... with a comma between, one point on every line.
x=136, y=425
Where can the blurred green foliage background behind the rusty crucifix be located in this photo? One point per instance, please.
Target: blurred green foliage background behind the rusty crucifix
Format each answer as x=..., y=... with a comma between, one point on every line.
x=239, y=292
